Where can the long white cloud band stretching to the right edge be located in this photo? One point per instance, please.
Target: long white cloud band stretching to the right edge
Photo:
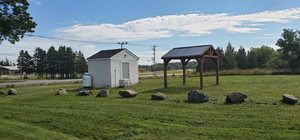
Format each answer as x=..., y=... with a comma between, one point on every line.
x=195, y=24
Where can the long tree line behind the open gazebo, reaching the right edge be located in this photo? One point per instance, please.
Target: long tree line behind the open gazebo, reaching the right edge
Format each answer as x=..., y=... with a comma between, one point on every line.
x=286, y=57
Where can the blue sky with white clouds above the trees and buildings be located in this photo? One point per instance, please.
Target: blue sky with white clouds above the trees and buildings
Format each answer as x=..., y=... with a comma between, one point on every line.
x=101, y=24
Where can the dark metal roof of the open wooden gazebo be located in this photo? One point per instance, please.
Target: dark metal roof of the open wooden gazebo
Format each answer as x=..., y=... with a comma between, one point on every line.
x=186, y=52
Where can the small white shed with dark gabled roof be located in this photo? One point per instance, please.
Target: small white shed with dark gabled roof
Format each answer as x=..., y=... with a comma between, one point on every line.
x=113, y=68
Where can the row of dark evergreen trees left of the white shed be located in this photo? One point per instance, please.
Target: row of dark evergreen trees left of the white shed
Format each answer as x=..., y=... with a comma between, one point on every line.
x=61, y=63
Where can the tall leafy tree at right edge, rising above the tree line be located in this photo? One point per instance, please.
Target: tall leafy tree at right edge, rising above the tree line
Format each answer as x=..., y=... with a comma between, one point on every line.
x=289, y=44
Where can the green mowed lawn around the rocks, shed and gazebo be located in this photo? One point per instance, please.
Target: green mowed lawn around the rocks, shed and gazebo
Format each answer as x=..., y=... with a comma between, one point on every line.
x=36, y=113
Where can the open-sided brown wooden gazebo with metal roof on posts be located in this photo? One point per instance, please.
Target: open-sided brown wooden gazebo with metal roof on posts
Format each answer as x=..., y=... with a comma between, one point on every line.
x=185, y=54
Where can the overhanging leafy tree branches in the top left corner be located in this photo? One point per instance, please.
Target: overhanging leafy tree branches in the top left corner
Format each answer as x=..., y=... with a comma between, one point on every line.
x=15, y=21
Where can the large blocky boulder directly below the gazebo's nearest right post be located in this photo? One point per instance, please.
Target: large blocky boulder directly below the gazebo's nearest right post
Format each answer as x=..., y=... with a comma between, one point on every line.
x=197, y=96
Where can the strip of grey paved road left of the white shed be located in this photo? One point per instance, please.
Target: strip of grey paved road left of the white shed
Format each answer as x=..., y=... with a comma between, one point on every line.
x=38, y=82
